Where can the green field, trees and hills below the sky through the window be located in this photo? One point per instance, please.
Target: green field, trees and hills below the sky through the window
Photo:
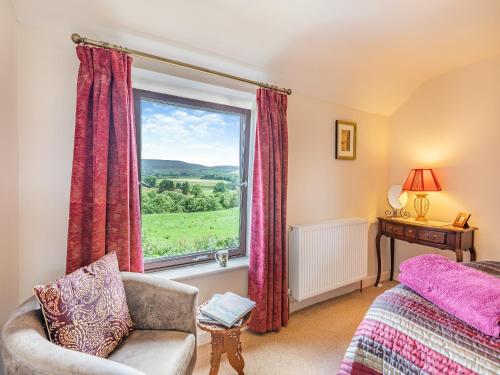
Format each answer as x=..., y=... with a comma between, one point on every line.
x=178, y=220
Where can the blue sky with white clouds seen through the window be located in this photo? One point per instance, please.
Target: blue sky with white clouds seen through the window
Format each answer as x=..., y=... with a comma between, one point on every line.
x=172, y=132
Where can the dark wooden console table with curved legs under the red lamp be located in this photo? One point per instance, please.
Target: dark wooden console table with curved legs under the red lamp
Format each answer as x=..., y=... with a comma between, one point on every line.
x=440, y=235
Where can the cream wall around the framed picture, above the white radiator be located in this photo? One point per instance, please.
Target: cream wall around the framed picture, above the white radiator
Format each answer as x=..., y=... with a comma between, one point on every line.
x=321, y=187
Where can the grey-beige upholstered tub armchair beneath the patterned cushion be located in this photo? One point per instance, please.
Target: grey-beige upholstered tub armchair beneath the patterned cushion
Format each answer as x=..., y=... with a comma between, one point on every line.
x=164, y=341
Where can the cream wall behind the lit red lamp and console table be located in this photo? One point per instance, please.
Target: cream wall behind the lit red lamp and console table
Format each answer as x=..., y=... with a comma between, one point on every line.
x=452, y=124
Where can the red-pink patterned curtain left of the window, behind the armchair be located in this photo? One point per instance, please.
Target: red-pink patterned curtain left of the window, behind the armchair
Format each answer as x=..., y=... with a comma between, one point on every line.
x=104, y=202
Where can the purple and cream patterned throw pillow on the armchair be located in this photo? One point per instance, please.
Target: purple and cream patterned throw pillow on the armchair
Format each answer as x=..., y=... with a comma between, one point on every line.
x=86, y=310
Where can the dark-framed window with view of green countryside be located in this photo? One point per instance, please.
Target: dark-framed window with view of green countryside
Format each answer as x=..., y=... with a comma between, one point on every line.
x=193, y=166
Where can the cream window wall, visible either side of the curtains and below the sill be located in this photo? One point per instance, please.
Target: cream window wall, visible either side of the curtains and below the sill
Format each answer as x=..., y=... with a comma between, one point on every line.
x=47, y=75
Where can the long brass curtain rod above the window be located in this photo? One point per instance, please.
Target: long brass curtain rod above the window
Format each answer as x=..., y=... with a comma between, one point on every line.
x=77, y=39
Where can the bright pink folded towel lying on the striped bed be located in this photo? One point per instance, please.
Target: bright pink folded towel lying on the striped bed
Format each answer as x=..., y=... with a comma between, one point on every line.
x=470, y=295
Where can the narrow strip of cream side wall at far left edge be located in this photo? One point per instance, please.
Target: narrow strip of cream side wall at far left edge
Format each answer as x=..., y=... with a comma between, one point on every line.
x=8, y=163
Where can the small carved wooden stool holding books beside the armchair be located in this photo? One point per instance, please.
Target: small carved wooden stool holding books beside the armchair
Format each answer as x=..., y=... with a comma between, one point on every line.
x=225, y=340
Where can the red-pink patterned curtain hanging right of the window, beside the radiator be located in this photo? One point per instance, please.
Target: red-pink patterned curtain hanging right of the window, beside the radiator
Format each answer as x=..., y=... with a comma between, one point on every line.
x=267, y=274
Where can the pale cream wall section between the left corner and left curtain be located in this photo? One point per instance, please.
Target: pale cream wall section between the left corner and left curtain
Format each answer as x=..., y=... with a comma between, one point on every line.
x=47, y=85
